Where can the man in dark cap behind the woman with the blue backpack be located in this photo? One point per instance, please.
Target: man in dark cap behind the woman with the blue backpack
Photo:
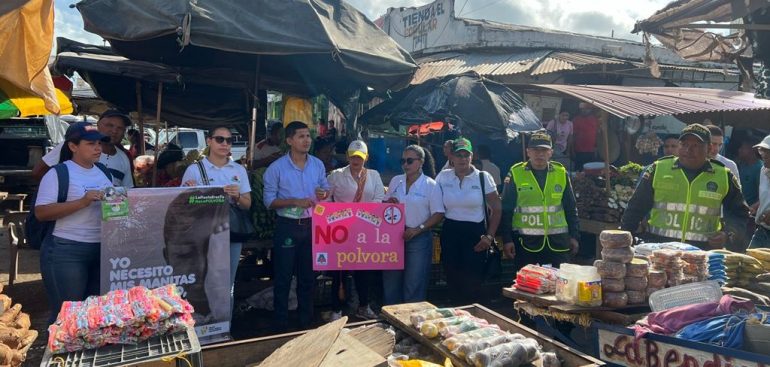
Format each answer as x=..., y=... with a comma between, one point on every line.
x=112, y=123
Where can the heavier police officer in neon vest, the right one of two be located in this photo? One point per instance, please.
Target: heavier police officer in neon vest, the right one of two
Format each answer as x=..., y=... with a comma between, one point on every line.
x=690, y=198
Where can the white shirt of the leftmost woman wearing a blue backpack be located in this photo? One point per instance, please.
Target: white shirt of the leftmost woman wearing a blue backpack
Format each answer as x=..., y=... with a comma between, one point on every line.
x=84, y=225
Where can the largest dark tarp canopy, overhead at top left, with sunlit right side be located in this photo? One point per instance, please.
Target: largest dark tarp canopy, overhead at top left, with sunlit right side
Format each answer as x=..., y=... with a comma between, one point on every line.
x=308, y=47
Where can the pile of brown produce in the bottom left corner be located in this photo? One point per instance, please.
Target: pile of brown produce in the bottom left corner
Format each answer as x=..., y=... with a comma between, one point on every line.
x=15, y=335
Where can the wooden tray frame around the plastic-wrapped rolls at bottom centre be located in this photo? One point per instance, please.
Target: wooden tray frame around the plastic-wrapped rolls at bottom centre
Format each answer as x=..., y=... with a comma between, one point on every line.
x=398, y=316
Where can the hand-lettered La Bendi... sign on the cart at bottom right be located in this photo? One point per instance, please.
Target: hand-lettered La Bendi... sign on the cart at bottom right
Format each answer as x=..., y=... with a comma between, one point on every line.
x=620, y=349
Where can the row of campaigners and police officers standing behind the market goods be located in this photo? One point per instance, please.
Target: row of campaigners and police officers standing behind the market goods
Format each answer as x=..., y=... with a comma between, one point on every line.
x=688, y=196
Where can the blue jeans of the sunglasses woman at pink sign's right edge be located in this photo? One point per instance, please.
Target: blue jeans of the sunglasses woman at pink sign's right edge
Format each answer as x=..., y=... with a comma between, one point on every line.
x=410, y=284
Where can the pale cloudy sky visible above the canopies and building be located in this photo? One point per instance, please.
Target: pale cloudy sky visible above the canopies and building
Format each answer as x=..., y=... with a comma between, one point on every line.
x=597, y=17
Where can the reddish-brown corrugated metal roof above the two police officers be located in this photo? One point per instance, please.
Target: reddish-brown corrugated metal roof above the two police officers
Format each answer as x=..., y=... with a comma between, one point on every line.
x=653, y=101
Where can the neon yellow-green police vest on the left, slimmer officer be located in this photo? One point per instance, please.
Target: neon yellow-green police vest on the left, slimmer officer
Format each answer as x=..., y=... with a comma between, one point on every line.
x=539, y=212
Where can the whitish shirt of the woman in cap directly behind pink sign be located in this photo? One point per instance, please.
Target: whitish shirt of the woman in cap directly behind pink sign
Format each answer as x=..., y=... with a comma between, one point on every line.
x=343, y=187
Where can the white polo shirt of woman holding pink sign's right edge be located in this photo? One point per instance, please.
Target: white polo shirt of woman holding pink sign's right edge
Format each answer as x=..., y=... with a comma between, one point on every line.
x=419, y=202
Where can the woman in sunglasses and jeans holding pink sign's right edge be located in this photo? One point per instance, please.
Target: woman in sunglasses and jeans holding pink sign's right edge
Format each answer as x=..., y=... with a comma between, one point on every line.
x=414, y=189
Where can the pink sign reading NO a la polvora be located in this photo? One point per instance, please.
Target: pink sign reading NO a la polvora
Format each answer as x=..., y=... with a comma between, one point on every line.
x=358, y=236
